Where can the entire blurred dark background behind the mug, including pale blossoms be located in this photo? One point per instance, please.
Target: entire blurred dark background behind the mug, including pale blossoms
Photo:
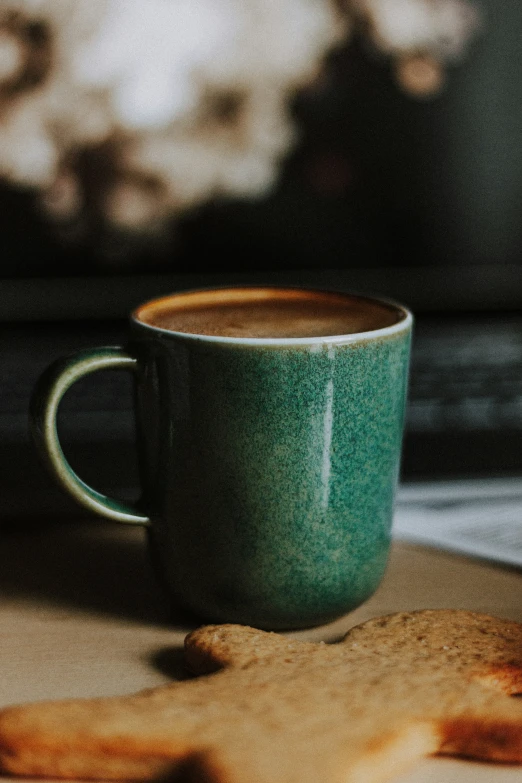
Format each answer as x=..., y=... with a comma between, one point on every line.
x=160, y=145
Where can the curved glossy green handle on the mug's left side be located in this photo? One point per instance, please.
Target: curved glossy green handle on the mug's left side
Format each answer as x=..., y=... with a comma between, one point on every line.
x=45, y=400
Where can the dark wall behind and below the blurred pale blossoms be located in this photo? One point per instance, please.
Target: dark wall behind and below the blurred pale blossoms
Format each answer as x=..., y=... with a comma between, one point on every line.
x=378, y=178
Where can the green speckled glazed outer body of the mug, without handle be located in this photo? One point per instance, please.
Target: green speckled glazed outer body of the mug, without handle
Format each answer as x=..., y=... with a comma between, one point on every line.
x=270, y=470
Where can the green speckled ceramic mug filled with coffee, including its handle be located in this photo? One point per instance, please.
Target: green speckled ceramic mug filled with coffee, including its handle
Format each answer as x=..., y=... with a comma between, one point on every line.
x=269, y=425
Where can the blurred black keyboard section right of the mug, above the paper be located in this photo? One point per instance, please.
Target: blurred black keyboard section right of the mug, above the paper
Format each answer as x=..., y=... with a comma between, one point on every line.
x=464, y=416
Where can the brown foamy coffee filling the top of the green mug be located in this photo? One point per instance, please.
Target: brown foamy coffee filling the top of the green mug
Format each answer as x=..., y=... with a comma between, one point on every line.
x=266, y=313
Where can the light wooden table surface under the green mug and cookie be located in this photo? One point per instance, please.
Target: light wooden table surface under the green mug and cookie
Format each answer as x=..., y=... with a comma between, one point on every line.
x=81, y=615
